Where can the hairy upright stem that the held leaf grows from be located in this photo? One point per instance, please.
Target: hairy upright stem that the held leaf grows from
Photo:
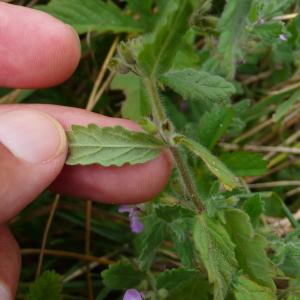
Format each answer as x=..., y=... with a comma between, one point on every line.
x=160, y=117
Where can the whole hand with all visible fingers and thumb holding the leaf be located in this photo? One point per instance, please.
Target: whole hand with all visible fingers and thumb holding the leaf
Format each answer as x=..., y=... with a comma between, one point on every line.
x=38, y=51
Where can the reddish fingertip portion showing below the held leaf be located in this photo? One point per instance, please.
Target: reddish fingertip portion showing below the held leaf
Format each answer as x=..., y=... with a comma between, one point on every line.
x=115, y=185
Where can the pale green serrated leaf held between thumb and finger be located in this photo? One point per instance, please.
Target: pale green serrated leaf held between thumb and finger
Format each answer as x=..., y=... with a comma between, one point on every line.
x=110, y=146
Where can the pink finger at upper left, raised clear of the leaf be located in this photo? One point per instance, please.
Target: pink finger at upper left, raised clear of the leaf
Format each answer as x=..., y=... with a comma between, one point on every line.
x=36, y=50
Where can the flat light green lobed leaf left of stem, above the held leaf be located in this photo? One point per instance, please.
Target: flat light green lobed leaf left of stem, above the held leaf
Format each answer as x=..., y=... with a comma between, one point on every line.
x=136, y=105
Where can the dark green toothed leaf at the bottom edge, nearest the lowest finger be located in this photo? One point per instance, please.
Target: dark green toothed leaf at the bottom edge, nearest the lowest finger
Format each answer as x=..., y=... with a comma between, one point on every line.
x=47, y=287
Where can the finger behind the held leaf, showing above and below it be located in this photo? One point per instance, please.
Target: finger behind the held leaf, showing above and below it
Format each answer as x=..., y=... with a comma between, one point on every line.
x=127, y=184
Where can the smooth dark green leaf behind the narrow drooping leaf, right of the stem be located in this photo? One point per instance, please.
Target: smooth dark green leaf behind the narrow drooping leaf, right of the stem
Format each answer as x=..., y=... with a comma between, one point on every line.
x=244, y=163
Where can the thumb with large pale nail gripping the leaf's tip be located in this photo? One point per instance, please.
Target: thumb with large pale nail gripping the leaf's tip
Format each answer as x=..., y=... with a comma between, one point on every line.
x=32, y=153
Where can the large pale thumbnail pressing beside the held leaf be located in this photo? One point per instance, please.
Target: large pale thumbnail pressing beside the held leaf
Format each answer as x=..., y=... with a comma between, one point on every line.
x=32, y=135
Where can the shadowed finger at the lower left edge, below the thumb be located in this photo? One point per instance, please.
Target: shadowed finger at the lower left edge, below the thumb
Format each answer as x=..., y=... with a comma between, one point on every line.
x=10, y=264
